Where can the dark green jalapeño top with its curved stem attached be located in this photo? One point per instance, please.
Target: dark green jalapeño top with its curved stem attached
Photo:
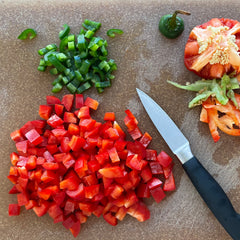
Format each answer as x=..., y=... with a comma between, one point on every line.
x=171, y=26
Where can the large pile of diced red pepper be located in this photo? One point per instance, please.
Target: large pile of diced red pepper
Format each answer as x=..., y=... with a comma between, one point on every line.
x=71, y=166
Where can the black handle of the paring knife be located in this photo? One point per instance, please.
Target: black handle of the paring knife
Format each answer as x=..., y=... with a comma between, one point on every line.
x=214, y=196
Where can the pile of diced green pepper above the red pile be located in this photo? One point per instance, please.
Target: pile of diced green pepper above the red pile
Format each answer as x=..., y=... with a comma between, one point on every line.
x=80, y=61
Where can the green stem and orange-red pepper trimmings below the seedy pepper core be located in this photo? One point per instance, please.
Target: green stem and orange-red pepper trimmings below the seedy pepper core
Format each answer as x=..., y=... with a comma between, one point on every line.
x=220, y=105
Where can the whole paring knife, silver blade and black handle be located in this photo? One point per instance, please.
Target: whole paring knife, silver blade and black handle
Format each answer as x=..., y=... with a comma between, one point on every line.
x=206, y=185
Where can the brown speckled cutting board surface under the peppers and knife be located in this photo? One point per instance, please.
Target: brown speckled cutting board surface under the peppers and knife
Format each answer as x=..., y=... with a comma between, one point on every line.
x=145, y=60
